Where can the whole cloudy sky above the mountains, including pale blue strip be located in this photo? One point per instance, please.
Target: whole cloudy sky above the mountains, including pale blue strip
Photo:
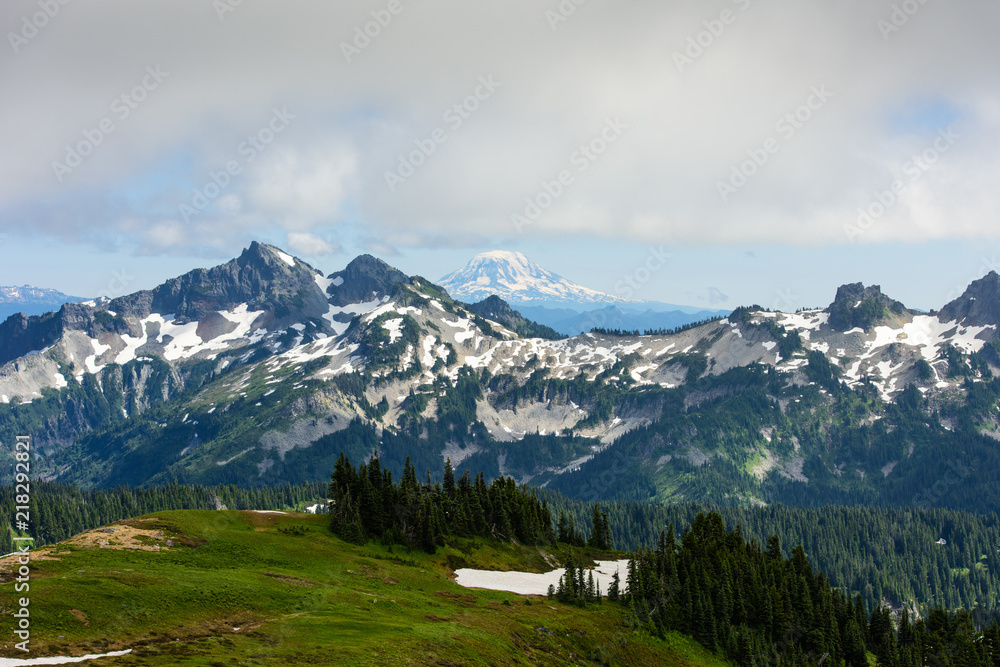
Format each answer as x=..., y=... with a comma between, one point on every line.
x=765, y=152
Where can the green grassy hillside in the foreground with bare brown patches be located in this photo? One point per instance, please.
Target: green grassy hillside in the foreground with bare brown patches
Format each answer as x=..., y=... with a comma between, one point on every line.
x=246, y=588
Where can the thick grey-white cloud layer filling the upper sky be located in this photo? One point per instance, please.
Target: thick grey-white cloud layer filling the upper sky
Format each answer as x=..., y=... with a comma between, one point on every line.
x=658, y=181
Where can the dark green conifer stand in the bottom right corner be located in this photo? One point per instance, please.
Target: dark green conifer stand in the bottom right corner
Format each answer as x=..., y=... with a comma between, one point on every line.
x=750, y=603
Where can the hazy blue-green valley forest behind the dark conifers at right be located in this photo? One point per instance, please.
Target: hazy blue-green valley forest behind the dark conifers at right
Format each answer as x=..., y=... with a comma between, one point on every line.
x=887, y=556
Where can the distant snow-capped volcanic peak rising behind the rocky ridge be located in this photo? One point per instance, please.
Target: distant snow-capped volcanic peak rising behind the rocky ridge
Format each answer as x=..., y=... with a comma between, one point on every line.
x=515, y=278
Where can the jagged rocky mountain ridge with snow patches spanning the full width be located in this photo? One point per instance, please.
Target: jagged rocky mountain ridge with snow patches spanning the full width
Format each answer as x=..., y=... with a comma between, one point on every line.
x=294, y=367
